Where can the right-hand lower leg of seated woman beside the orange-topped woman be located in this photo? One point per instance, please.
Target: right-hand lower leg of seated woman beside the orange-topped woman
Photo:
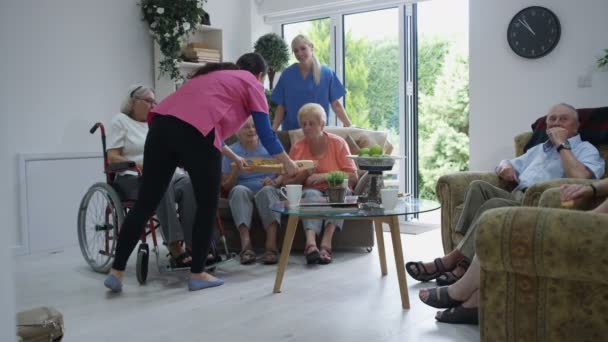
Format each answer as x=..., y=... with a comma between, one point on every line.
x=271, y=220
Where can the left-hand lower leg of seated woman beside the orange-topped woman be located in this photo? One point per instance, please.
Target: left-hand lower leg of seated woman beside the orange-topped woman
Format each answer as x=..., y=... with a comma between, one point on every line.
x=240, y=200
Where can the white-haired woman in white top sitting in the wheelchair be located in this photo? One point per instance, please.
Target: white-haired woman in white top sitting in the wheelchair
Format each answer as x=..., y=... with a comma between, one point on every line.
x=126, y=139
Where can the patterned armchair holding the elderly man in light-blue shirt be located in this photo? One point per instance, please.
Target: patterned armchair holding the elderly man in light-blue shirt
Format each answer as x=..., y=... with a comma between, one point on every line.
x=451, y=188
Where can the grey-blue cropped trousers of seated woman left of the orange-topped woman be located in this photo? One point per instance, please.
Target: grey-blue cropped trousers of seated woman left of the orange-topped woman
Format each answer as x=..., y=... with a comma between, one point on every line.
x=241, y=200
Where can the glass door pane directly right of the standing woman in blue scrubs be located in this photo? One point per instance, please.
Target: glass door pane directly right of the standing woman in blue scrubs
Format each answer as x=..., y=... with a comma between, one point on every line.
x=371, y=75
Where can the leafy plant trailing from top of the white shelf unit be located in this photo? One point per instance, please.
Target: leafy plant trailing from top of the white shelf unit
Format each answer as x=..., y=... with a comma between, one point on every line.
x=170, y=21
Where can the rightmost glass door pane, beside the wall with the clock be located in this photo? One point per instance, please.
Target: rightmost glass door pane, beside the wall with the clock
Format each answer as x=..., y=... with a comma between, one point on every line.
x=443, y=106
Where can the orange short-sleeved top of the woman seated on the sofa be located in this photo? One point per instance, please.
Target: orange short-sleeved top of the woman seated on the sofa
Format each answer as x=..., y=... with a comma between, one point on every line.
x=334, y=158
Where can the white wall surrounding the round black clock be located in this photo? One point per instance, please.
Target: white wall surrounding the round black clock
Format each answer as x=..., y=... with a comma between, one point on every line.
x=508, y=92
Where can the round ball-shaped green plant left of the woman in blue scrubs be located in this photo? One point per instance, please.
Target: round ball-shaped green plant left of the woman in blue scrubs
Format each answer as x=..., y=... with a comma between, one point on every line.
x=275, y=51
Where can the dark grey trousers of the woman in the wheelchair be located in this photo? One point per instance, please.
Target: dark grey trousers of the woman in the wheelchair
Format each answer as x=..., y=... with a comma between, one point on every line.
x=179, y=193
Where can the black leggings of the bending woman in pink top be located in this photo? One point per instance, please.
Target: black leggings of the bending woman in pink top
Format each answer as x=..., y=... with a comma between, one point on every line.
x=172, y=142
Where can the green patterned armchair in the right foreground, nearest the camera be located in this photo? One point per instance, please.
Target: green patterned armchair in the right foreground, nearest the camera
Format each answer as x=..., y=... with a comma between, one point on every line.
x=544, y=273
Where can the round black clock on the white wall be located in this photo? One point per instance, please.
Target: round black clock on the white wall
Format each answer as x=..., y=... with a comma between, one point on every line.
x=533, y=32
